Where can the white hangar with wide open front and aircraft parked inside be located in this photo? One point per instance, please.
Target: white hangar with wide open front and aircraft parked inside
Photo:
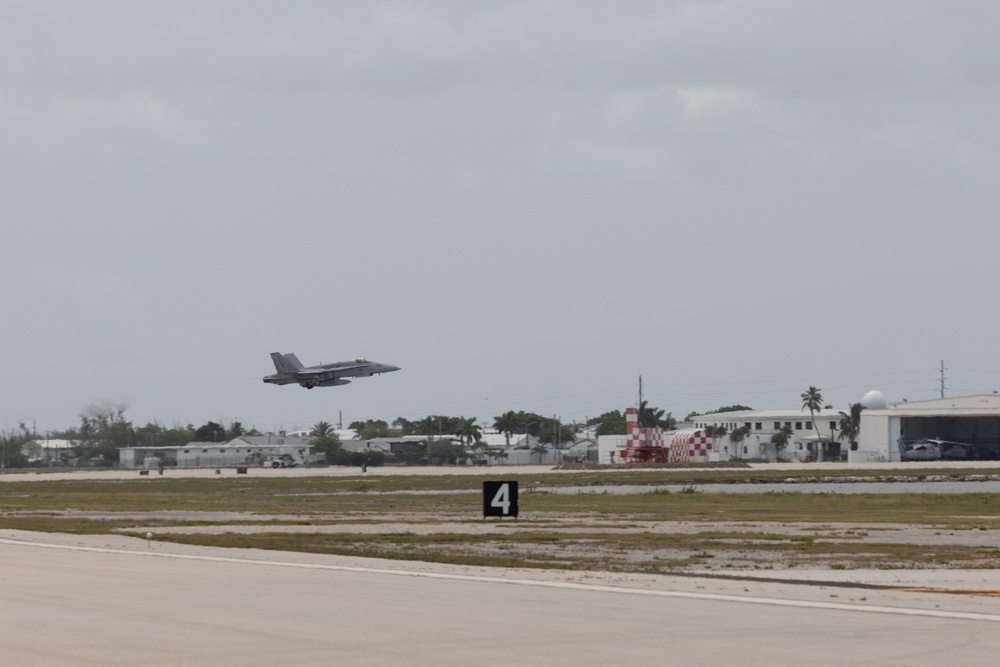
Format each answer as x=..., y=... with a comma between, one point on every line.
x=890, y=429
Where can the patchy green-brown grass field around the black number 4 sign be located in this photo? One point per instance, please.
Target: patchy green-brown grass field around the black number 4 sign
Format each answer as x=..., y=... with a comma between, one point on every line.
x=435, y=518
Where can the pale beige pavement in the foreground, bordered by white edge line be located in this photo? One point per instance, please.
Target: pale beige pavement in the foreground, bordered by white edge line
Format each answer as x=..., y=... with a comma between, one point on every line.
x=69, y=604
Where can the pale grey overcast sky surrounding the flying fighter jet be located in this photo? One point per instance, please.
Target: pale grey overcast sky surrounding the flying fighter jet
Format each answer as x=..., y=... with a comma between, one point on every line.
x=525, y=205
